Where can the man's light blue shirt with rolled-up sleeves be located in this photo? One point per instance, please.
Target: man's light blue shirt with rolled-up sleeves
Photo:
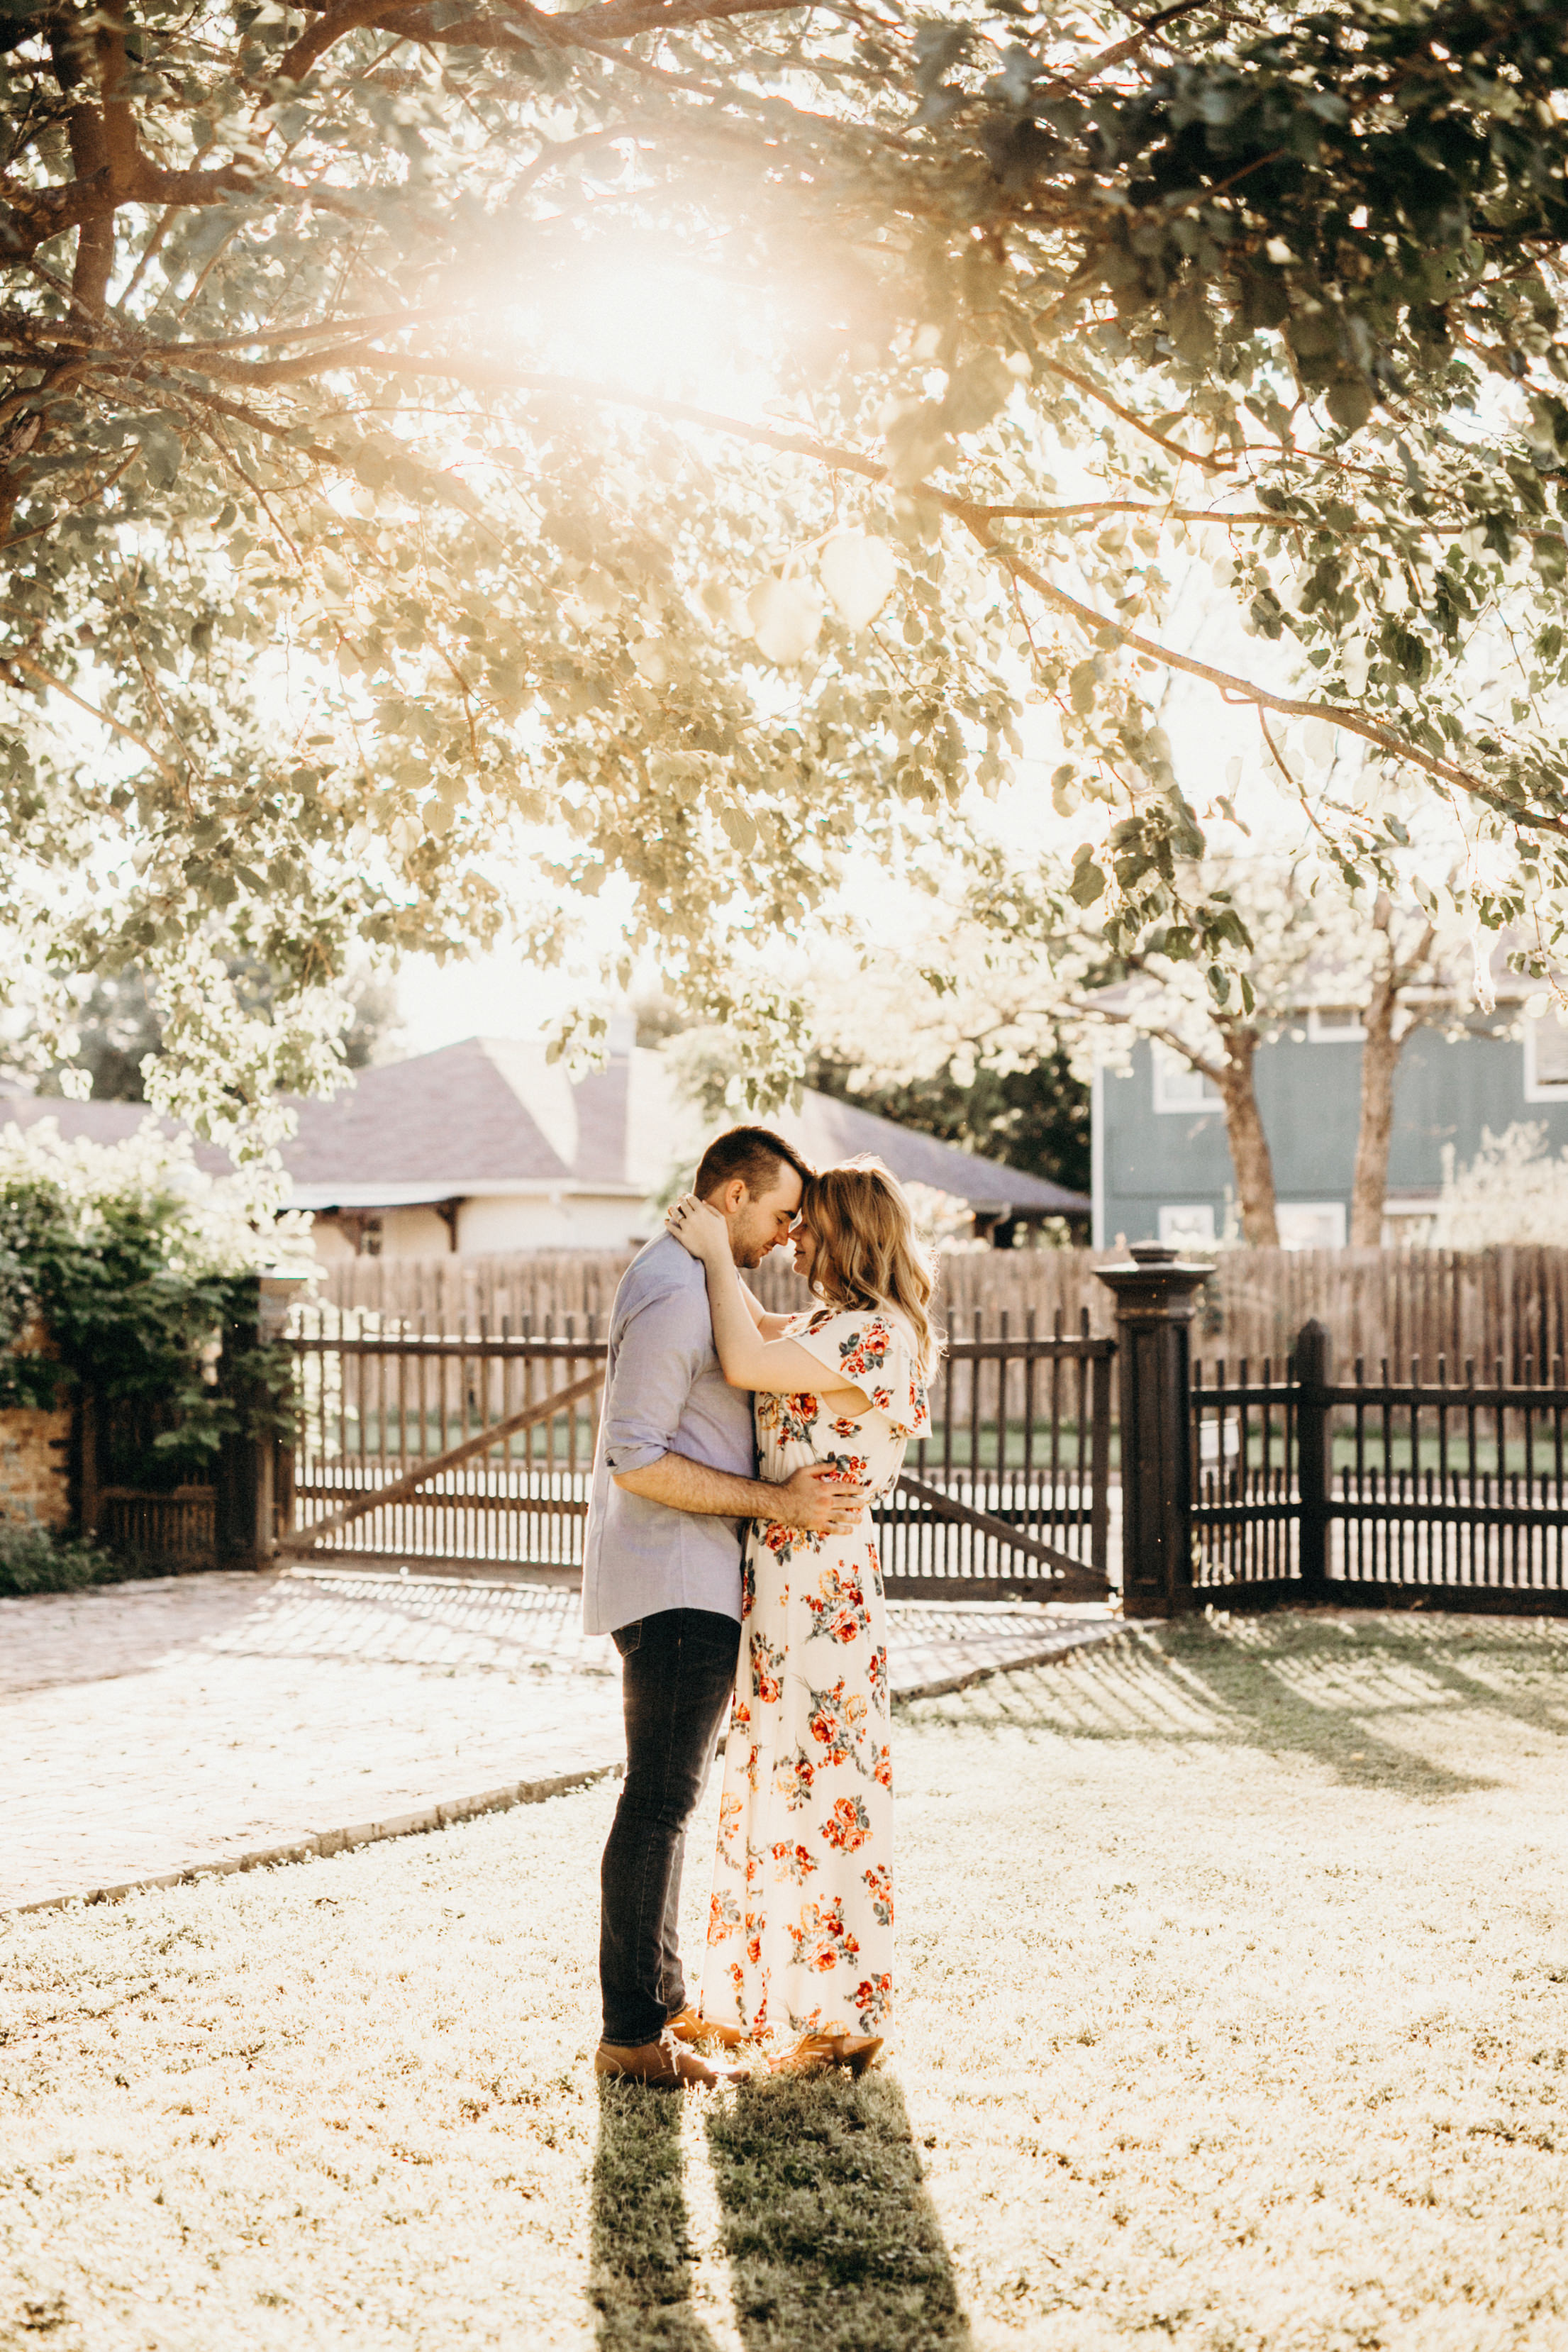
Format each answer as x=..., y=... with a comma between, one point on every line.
x=664, y=1394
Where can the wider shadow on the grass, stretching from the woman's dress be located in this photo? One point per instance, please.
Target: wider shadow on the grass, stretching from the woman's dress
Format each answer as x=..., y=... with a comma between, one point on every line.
x=831, y=2236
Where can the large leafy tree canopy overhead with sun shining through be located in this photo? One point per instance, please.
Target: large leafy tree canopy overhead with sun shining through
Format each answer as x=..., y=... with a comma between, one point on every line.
x=328, y=512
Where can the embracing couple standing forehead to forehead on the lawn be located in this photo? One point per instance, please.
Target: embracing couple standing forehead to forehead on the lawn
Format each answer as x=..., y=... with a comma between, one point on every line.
x=735, y=1563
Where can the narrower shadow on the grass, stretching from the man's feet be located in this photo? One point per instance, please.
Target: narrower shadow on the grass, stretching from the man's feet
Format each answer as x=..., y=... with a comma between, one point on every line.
x=641, y=2231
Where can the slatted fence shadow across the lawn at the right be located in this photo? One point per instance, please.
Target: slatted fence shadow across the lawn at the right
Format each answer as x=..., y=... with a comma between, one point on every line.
x=1294, y=1683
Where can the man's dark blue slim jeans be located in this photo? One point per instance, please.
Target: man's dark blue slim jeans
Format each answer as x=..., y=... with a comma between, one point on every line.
x=678, y=1673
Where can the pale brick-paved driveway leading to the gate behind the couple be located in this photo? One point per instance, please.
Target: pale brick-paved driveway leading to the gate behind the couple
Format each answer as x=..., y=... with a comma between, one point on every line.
x=215, y=1723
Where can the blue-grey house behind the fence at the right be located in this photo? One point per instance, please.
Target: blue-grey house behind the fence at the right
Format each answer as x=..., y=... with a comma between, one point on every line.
x=1162, y=1165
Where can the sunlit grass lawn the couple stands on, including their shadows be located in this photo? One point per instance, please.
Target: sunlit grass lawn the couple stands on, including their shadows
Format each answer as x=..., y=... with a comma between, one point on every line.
x=1235, y=1979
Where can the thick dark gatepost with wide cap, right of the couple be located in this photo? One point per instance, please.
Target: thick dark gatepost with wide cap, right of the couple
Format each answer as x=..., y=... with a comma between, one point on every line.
x=1155, y=1302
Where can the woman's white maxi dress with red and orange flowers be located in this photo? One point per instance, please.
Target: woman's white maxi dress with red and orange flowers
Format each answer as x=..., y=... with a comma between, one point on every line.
x=800, y=1935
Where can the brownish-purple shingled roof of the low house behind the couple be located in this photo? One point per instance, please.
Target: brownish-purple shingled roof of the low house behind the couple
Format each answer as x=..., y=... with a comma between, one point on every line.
x=495, y=1118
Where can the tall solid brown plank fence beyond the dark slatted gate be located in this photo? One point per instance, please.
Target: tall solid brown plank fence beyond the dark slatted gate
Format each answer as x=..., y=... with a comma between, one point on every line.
x=1398, y=1304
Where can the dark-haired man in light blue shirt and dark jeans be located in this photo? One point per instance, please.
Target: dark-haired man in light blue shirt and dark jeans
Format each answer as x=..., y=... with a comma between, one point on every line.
x=674, y=1488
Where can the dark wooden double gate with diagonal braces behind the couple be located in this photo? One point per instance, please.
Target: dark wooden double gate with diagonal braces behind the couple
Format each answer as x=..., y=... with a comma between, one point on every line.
x=476, y=1450
